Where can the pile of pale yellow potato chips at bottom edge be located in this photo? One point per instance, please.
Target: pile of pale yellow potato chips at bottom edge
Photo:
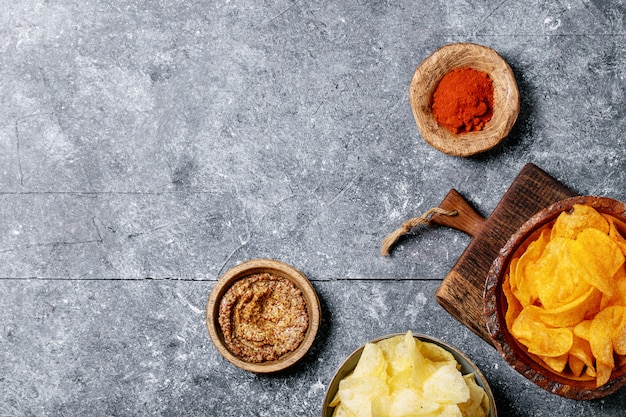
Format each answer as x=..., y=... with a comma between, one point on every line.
x=403, y=376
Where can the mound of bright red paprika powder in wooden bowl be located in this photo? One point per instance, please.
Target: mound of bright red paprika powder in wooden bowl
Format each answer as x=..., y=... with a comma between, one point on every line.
x=463, y=100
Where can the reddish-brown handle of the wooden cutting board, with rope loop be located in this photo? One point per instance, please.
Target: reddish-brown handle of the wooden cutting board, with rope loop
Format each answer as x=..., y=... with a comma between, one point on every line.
x=467, y=220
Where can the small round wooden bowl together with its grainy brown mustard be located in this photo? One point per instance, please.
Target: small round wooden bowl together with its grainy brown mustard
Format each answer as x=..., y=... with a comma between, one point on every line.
x=263, y=315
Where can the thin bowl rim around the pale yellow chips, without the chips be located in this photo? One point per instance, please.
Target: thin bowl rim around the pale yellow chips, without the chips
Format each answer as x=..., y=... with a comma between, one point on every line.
x=346, y=368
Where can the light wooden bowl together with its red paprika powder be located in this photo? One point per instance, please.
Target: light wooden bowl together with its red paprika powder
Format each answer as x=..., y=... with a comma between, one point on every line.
x=464, y=98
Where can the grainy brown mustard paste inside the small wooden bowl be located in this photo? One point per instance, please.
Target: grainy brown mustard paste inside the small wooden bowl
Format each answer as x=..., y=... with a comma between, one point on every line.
x=263, y=317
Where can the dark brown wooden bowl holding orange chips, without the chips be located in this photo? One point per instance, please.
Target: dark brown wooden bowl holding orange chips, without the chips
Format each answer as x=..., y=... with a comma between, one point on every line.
x=495, y=306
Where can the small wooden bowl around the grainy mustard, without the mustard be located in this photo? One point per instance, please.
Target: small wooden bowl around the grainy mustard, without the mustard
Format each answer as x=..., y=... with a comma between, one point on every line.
x=276, y=268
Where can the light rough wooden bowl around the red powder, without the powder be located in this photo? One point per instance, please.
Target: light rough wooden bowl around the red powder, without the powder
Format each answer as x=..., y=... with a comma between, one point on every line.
x=506, y=98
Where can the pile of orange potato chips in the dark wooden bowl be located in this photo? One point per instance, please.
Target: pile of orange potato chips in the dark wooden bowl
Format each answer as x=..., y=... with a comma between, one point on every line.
x=566, y=295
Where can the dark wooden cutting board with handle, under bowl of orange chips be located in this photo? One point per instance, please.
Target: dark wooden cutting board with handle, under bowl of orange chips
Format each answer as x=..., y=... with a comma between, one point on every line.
x=461, y=292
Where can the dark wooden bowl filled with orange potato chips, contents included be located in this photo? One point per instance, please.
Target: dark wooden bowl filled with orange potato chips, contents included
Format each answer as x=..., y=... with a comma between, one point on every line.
x=555, y=298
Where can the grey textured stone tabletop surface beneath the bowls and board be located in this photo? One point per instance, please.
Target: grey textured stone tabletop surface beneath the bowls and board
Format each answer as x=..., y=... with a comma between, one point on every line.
x=146, y=147
